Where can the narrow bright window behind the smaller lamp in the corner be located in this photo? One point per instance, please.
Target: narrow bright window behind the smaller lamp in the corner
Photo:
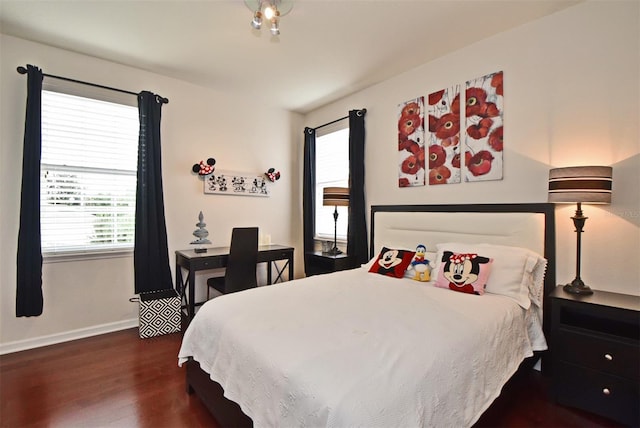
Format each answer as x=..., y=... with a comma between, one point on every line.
x=332, y=170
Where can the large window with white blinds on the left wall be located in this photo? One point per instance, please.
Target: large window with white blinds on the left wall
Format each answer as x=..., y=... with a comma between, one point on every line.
x=88, y=174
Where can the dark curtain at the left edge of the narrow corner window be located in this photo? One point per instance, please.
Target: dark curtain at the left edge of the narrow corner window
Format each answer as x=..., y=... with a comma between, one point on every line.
x=308, y=191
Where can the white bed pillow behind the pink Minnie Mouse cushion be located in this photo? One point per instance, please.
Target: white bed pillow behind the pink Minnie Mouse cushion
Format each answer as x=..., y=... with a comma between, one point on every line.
x=517, y=272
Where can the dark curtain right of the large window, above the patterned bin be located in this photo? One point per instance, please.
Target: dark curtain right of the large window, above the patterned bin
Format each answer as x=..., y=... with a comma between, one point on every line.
x=151, y=253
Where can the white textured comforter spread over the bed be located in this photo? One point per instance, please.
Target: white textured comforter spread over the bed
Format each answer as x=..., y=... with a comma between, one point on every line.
x=359, y=349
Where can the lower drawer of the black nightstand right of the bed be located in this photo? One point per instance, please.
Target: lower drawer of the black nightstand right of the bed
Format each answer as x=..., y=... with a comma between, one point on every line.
x=606, y=395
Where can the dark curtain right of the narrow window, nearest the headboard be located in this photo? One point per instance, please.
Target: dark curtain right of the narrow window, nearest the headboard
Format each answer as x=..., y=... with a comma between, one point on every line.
x=357, y=229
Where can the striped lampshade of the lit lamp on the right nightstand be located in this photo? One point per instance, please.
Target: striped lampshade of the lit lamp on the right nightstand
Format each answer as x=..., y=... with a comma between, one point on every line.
x=585, y=184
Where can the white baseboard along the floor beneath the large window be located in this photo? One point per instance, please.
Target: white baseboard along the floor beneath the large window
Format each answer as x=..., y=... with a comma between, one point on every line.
x=22, y=345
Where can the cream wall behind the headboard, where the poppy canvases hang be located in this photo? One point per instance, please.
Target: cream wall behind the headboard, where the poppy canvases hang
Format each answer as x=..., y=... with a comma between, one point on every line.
x=572, y=92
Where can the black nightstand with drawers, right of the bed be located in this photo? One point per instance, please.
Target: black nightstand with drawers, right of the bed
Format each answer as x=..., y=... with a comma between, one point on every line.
x=595, y=351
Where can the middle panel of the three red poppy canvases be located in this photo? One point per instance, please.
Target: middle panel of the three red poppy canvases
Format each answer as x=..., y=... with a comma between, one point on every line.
x=444, y=136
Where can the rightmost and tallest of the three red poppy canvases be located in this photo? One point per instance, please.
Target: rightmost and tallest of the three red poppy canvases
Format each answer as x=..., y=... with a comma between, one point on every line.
x=483, y=139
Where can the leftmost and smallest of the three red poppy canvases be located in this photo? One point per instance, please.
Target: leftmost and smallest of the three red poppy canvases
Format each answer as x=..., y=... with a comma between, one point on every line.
x=411, y=153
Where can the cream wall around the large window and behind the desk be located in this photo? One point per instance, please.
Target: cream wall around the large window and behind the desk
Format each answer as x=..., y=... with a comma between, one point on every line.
x=82, y=298
